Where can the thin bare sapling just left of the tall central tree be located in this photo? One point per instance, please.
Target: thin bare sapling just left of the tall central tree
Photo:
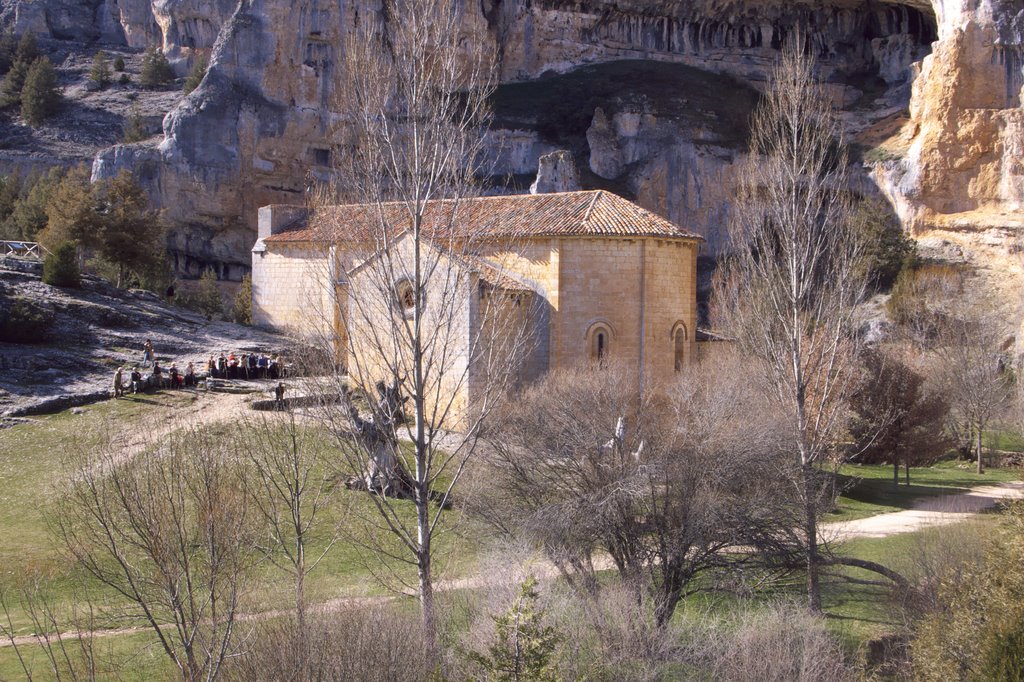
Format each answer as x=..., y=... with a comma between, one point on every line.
x=290, y=481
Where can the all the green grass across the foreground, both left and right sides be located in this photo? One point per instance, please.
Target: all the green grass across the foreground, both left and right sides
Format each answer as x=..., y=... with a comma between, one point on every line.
x=31, y=462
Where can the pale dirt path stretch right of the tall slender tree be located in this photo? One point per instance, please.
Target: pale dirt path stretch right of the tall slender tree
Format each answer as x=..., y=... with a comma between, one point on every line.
x=928, y=513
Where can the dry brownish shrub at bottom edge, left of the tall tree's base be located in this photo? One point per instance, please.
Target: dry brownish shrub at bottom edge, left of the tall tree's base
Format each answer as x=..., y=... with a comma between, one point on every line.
x=359, y=644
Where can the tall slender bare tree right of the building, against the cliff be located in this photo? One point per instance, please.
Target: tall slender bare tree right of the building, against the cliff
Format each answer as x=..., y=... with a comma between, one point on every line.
x=794, y=276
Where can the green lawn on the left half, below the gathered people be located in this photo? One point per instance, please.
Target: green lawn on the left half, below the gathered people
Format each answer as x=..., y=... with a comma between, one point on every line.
x=33, y=459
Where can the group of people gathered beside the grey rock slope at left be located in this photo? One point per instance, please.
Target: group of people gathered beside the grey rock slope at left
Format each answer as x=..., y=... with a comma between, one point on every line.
x=246, y=366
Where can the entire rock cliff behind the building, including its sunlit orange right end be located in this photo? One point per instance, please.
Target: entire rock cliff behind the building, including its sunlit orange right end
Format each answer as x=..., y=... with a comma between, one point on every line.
x=941, y=78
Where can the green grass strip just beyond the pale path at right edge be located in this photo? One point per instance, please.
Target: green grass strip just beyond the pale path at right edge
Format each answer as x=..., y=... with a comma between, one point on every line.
x=870, y=489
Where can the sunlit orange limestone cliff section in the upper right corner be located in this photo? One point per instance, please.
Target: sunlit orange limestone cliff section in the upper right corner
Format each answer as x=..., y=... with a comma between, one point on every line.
x=964, y=166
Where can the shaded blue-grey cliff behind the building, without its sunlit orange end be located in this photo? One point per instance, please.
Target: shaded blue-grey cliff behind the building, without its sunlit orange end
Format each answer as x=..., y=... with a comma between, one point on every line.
x=255, y=133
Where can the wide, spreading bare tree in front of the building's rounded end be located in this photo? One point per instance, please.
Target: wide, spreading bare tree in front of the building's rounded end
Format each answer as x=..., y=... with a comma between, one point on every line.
x=665, y=498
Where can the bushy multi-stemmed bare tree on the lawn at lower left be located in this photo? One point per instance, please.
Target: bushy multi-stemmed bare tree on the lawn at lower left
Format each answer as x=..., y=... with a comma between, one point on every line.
x=169, y=531
